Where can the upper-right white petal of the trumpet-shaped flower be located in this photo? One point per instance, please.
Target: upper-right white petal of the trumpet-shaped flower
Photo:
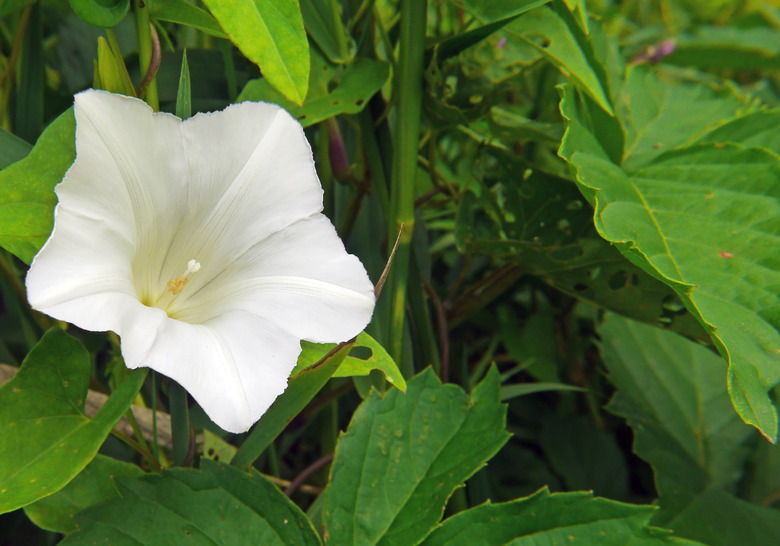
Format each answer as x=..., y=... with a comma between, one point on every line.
x=251, y=174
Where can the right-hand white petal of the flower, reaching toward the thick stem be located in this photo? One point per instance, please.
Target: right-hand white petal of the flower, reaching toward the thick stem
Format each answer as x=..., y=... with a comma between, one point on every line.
x=301, y=278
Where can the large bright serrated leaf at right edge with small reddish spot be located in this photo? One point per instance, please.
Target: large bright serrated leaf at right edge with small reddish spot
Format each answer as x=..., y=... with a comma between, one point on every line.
x=702, y=219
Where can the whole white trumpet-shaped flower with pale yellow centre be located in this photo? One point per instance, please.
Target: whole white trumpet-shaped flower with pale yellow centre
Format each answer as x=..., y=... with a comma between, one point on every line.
x=202, y=244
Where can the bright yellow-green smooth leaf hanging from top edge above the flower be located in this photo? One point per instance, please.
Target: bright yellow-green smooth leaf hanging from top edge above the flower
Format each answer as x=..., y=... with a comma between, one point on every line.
x=270, y=34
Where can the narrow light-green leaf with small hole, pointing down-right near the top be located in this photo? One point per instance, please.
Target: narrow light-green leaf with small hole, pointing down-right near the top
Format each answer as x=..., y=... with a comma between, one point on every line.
x=562, y=42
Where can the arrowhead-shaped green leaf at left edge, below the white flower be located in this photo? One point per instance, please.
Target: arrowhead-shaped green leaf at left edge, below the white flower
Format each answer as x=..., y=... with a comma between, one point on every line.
x=45, y=439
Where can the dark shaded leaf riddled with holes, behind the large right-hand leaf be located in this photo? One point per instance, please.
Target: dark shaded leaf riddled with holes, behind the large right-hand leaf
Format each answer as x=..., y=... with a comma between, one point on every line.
x=541, y=222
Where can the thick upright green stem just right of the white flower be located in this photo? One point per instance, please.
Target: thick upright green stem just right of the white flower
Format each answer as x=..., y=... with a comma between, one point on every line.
x=408, y=89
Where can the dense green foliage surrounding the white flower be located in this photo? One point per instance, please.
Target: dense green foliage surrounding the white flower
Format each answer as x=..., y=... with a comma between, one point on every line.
x=579, y=338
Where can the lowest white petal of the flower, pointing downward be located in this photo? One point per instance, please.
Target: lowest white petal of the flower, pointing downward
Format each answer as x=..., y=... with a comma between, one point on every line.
x=234, y=366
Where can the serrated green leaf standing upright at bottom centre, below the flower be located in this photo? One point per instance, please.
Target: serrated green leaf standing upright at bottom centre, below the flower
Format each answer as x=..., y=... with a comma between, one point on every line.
x=403, y=455
